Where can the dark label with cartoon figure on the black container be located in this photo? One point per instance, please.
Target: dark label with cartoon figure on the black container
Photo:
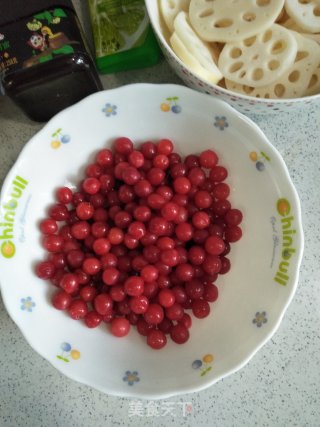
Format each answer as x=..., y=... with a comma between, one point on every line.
x=38, y=39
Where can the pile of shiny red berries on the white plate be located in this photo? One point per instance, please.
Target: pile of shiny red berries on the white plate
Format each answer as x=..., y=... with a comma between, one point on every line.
x=142, y=240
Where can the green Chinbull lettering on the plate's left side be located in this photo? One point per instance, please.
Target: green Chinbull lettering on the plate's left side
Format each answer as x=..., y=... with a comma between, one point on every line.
x=8, y=217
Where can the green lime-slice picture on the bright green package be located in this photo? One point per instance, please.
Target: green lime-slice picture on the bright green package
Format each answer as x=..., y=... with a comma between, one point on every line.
x=118, y=25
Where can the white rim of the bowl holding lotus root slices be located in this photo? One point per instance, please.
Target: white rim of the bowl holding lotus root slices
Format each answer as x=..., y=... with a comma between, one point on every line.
x=154, y=5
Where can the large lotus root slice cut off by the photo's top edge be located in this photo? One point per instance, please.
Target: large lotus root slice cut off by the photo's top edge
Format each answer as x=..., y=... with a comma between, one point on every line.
x=229, y=21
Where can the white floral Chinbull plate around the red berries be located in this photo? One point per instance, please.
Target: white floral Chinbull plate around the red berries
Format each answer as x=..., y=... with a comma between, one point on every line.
x=253, y=295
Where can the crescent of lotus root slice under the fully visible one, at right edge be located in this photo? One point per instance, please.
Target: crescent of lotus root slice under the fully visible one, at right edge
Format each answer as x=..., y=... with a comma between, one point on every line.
x=294, y=83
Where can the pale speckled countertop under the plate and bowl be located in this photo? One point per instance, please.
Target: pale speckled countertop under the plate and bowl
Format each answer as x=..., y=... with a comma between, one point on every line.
x=279, y=387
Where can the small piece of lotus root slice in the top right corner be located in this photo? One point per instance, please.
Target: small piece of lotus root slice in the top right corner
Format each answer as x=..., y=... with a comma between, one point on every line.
x=306, y=13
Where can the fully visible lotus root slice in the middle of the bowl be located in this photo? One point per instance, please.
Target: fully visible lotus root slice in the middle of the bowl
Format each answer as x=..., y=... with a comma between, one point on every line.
x=261, y=59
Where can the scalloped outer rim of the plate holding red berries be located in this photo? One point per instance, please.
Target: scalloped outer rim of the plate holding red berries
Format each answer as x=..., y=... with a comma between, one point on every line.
x=177, y=390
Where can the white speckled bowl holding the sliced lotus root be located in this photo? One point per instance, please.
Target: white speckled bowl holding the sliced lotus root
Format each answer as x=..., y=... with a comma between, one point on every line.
x=243, y=103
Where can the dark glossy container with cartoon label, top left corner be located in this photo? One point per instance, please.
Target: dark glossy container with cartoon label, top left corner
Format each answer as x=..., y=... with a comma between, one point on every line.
x=45, y=65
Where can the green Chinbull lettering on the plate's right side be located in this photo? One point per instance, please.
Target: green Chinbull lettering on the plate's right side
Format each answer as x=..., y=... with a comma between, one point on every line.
x=288, y=234
